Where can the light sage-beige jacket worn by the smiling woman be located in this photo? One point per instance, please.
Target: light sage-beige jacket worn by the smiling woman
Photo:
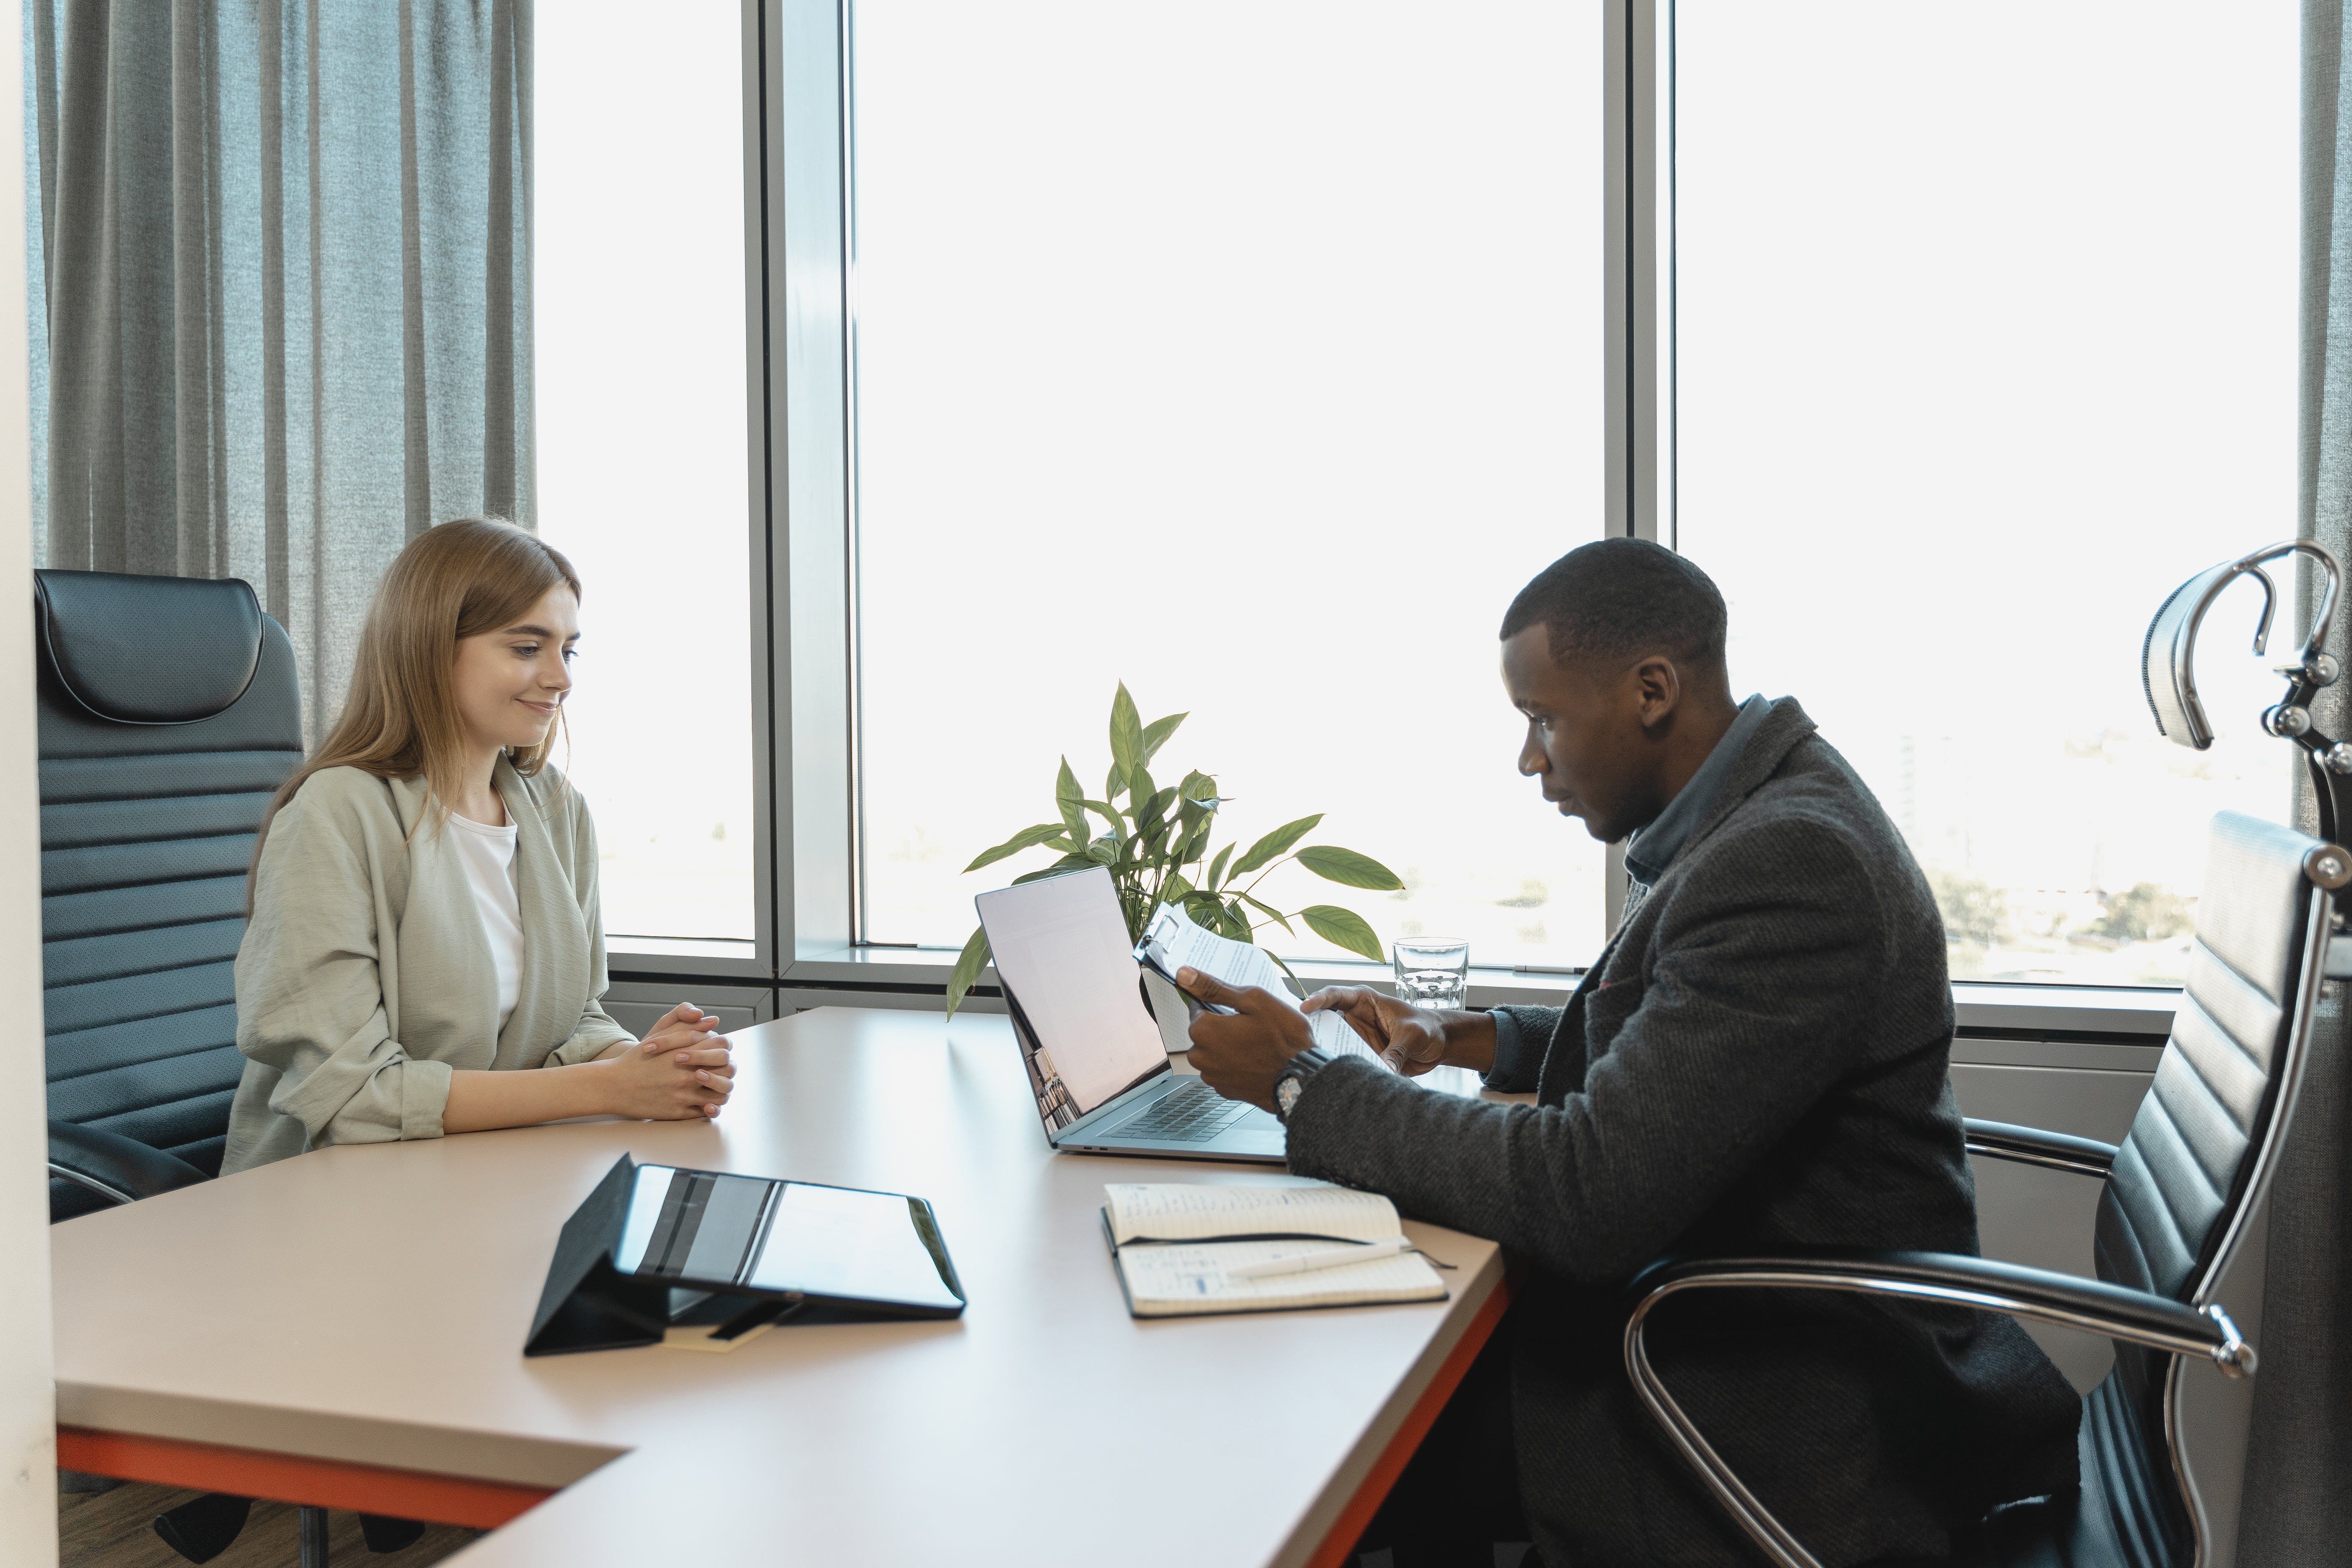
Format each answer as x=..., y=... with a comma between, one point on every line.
x=366, y=974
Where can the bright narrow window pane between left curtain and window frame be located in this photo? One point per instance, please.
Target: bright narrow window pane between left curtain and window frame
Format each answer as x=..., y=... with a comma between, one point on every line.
x=643, y=474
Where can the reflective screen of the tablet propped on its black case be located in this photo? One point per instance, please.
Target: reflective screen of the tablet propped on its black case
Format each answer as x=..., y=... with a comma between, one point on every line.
x=749, y=1233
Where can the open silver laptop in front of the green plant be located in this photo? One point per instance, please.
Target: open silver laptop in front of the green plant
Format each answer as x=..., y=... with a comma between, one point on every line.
x=1095, y=1057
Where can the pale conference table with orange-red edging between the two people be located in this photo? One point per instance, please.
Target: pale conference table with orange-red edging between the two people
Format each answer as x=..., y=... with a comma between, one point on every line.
x=347, y=1329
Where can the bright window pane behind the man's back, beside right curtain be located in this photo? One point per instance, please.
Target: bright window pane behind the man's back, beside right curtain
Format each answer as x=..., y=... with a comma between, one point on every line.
x=1984, y=342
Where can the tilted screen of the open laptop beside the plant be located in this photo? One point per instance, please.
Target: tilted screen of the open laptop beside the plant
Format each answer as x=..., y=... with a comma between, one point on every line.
x=1062, y=951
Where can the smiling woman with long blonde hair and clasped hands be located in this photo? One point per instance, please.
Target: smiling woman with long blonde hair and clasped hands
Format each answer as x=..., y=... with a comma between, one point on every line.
x=425, y=951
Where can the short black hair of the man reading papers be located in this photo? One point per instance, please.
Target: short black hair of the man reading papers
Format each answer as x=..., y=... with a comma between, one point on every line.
x=1624, y=598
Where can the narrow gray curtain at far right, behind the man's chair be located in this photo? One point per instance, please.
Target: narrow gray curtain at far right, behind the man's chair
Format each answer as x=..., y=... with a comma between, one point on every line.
x=2299, y=1468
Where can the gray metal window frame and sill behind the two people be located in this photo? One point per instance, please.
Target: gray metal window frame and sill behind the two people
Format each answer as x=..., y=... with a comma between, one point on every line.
x=801, y=406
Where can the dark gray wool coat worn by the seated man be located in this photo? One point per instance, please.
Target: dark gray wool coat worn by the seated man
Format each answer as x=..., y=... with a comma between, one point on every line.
x=1758, y=1061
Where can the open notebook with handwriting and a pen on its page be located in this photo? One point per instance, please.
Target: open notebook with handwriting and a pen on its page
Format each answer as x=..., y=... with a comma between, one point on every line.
x=1177, y=1247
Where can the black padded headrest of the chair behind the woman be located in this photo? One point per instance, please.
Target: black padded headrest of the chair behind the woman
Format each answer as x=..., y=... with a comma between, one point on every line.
x=149, y=650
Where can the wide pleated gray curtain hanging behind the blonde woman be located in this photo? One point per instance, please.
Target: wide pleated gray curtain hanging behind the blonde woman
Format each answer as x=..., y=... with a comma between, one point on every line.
x=281, y=290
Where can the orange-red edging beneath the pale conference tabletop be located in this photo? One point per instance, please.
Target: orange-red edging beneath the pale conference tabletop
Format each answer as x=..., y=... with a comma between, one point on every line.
x=486, y=1506
